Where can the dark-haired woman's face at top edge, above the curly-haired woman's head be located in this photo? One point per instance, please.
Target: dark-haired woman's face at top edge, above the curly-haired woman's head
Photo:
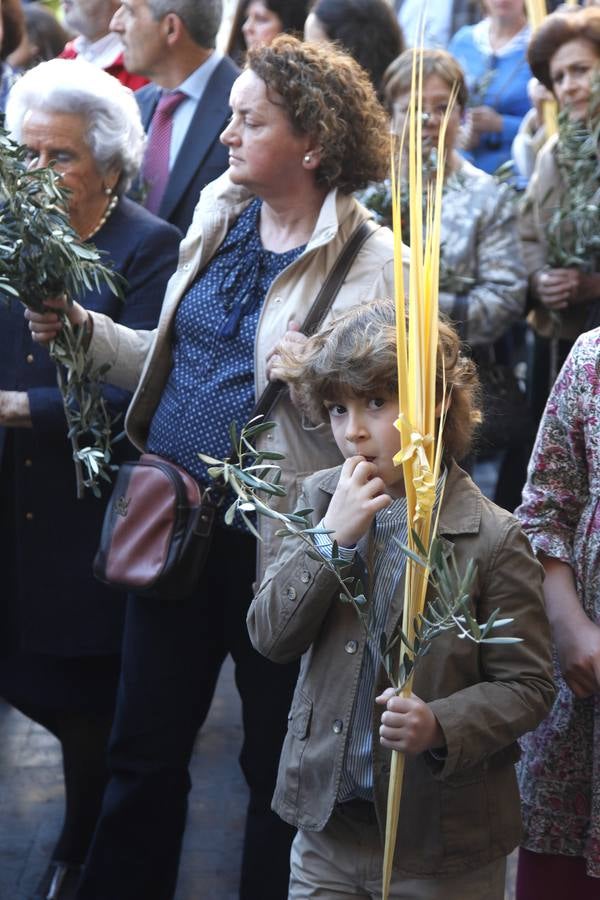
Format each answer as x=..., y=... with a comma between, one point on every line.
x=257, y=22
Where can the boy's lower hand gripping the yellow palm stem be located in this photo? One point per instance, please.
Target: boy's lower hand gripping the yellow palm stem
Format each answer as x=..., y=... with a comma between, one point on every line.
x=408, y=725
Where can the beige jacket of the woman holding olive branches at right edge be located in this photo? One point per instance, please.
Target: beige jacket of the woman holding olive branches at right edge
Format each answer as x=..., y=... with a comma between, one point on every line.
x=542, y=198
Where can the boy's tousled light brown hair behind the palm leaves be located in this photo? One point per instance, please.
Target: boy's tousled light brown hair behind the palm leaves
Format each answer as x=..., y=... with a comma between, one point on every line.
x=356, y=355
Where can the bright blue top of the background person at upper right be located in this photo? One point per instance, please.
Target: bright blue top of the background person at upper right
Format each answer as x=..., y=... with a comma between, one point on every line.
x=496, y=81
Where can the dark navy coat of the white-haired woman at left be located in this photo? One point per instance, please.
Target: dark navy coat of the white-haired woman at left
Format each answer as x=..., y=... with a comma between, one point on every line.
x=47, y=537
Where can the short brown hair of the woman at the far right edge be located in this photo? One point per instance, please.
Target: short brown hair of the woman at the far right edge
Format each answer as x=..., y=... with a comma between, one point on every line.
x=557, y=29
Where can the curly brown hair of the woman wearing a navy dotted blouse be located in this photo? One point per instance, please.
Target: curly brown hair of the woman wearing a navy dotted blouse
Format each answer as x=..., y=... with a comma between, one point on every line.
x=328, y=96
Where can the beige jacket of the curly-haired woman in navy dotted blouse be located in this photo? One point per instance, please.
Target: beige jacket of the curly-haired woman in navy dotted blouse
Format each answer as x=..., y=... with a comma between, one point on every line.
x=141, y=360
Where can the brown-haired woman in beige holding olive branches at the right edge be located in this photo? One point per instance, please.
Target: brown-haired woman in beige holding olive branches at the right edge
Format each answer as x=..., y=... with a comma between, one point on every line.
x=564, y=55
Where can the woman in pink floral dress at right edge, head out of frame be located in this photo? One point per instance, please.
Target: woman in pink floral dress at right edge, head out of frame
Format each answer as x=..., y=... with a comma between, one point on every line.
x=560, y=768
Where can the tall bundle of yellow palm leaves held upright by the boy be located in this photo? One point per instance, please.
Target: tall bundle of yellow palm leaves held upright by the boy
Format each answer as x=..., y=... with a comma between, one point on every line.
x=417, y=340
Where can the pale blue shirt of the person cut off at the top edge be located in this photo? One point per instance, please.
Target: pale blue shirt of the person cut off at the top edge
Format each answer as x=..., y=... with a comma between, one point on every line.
x=442, y=19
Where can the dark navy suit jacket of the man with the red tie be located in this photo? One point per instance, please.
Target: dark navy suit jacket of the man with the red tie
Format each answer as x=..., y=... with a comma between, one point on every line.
x=202, y=158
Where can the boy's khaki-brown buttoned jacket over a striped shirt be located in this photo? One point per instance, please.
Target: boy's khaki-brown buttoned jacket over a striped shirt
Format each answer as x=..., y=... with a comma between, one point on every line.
x=456, y=814
